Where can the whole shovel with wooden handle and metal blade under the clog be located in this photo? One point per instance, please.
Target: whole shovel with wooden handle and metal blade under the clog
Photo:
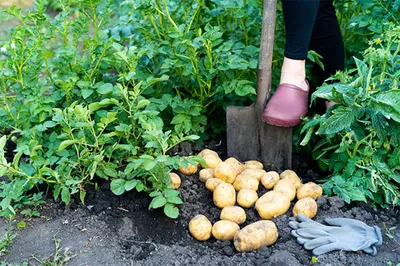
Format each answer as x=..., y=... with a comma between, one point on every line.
x=248, y=137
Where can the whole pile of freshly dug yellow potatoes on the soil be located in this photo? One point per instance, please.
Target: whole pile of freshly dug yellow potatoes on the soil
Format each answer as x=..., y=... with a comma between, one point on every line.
x=233, y=182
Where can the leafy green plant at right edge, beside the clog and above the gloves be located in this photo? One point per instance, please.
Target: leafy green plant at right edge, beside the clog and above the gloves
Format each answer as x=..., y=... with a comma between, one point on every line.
x=358, y=139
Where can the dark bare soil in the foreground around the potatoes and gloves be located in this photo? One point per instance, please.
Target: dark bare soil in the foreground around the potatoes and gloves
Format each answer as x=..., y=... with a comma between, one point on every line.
x=120, y=230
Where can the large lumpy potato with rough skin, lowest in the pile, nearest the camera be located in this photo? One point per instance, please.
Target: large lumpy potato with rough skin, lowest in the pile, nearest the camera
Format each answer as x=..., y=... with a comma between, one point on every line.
x=256, y=235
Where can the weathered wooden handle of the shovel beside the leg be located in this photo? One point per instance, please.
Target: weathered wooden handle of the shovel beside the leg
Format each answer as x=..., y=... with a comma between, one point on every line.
x=266, y=51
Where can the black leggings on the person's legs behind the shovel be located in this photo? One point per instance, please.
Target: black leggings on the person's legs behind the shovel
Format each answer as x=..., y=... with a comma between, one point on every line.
x=312, y=24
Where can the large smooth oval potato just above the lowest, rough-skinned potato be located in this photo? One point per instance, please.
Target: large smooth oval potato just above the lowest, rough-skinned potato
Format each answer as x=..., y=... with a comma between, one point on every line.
x=272, y=204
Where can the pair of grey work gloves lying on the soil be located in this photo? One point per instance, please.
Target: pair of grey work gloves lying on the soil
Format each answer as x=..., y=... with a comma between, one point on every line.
x=343, y=234
